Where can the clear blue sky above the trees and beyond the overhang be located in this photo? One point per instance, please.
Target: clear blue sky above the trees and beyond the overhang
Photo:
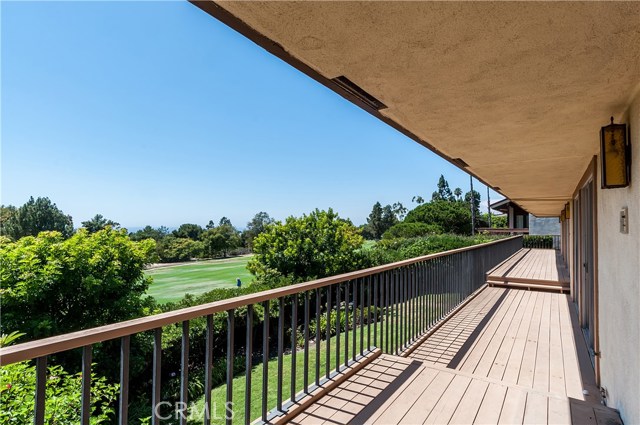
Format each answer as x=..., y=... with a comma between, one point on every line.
x=156, y=113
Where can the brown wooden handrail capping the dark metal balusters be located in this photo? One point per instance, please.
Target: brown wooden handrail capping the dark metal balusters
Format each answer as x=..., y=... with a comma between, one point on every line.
x=55, y=344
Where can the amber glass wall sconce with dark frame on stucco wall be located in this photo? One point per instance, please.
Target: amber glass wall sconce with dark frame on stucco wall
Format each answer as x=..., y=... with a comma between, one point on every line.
x=615, y=153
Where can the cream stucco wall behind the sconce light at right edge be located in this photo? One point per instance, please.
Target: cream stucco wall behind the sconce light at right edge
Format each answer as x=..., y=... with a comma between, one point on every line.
x=619, y=285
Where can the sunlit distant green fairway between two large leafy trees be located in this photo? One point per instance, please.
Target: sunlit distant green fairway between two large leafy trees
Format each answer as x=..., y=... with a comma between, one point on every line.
x=171, y=283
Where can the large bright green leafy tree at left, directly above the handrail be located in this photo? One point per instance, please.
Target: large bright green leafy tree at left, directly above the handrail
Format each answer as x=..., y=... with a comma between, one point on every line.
x=52, y=285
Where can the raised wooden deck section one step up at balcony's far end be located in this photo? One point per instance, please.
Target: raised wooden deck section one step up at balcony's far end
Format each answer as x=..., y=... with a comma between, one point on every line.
x=532, y=268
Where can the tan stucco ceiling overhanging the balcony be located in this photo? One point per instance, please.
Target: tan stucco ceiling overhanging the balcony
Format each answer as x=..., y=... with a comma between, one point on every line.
x=518, y=90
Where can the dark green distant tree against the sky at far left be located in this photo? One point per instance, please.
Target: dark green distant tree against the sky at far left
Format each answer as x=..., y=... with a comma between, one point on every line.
x=36, y=216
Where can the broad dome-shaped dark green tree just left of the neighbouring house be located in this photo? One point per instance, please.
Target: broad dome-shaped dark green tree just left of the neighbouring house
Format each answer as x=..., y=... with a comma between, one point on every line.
x=451, y=217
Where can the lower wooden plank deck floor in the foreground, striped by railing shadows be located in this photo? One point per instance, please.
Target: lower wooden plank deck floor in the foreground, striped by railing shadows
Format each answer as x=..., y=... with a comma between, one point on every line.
x=509, y=356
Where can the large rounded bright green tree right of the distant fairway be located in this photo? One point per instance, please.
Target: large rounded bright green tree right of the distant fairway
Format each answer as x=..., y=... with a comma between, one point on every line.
x=316, y=245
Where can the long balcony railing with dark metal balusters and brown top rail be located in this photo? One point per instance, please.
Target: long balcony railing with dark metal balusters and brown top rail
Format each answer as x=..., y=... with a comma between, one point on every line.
x=331, y=323
